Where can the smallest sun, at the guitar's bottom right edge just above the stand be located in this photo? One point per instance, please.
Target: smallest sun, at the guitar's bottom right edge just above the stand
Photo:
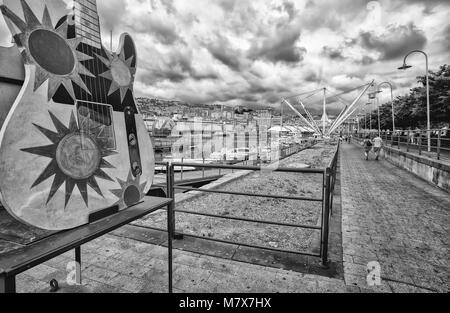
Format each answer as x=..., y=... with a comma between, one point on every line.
x=130, y=192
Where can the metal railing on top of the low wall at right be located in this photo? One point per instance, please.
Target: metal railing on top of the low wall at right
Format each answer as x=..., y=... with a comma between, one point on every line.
x=416, y=141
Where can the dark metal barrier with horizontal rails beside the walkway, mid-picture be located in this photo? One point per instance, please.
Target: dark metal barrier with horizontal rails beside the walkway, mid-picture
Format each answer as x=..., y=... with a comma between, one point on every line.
x=329, y=182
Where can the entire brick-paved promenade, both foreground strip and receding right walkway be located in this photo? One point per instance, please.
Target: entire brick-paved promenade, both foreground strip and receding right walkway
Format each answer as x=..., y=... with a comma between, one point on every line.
x=388, y=216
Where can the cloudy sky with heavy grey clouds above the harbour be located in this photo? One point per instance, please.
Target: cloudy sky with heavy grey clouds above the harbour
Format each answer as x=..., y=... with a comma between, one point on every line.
x=238, y=52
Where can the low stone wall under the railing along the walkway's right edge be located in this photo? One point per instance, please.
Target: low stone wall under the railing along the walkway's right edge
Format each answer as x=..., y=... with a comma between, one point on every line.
x=433, y=171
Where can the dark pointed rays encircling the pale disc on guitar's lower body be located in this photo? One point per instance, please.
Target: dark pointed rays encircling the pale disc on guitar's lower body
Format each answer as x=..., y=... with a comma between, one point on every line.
x=54, y=168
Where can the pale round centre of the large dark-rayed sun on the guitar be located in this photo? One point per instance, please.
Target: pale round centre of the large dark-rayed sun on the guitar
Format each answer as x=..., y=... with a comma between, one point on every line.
x=78, y=156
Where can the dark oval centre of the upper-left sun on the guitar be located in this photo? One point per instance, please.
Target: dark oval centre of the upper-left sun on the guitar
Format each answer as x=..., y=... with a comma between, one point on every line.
x=51, y=52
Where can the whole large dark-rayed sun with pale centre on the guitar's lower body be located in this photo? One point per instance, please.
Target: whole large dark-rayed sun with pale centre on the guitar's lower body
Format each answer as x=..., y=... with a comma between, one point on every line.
x=77, y=158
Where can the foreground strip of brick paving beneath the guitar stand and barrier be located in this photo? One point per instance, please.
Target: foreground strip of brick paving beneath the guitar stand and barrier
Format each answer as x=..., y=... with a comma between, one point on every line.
x=113, y=264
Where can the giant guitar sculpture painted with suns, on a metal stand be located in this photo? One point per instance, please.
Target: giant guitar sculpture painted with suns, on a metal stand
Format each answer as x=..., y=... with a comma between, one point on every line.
x=73, y=143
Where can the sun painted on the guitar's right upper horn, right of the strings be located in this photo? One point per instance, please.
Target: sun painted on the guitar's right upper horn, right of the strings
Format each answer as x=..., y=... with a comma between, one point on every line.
x=121, y=73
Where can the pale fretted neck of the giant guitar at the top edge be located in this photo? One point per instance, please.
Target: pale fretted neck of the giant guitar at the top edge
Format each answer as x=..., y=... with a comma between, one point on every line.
x=87, y=22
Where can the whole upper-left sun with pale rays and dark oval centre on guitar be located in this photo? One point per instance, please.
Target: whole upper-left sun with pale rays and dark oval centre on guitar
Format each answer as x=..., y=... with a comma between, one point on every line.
x=40, y=45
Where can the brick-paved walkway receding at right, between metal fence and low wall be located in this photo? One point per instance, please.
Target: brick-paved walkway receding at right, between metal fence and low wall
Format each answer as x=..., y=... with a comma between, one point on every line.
x=393, y=217
